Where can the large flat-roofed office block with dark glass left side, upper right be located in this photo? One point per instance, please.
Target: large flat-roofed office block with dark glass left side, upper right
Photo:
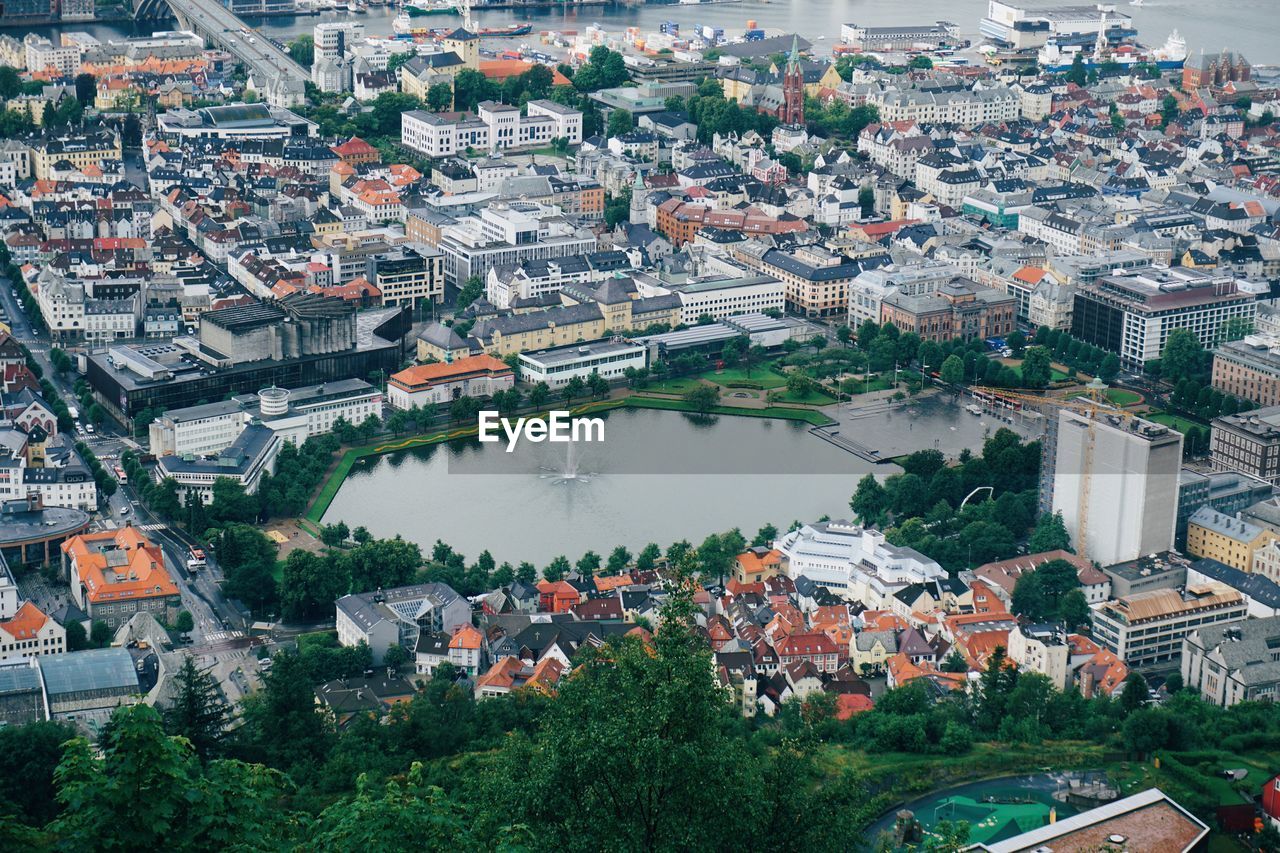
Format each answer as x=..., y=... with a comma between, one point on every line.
x=1133, y=314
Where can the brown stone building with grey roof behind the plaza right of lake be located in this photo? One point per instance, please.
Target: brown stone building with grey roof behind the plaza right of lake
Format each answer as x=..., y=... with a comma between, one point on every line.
x=958, y=309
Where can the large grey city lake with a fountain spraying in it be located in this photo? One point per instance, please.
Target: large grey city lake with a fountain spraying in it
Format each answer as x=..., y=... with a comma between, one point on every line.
x=659, y=477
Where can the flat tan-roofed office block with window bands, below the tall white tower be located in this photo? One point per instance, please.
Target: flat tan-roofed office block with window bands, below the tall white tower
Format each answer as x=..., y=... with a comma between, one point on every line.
x=1149, y=628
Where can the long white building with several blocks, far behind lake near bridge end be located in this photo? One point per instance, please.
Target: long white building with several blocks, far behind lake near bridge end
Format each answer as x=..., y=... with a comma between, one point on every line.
x=497, y=127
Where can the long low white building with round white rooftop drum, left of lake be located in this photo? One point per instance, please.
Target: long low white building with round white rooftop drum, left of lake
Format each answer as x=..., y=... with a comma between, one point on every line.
x=295, y=414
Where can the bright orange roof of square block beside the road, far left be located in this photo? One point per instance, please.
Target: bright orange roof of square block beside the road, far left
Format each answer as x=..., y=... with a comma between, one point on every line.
x=120, y=564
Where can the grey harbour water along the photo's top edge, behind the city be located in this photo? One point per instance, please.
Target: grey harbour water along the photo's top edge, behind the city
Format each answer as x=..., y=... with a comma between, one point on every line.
x=1249, y=26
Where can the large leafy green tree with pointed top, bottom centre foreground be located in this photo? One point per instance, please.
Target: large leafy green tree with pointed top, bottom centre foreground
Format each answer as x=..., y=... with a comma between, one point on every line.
x=624, y=755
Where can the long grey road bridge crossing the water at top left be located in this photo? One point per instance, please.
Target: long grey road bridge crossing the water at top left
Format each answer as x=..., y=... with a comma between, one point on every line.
x=226, y=30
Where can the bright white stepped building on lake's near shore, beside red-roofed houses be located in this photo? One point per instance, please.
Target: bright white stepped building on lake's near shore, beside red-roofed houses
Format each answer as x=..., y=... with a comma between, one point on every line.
x=856, y=563
